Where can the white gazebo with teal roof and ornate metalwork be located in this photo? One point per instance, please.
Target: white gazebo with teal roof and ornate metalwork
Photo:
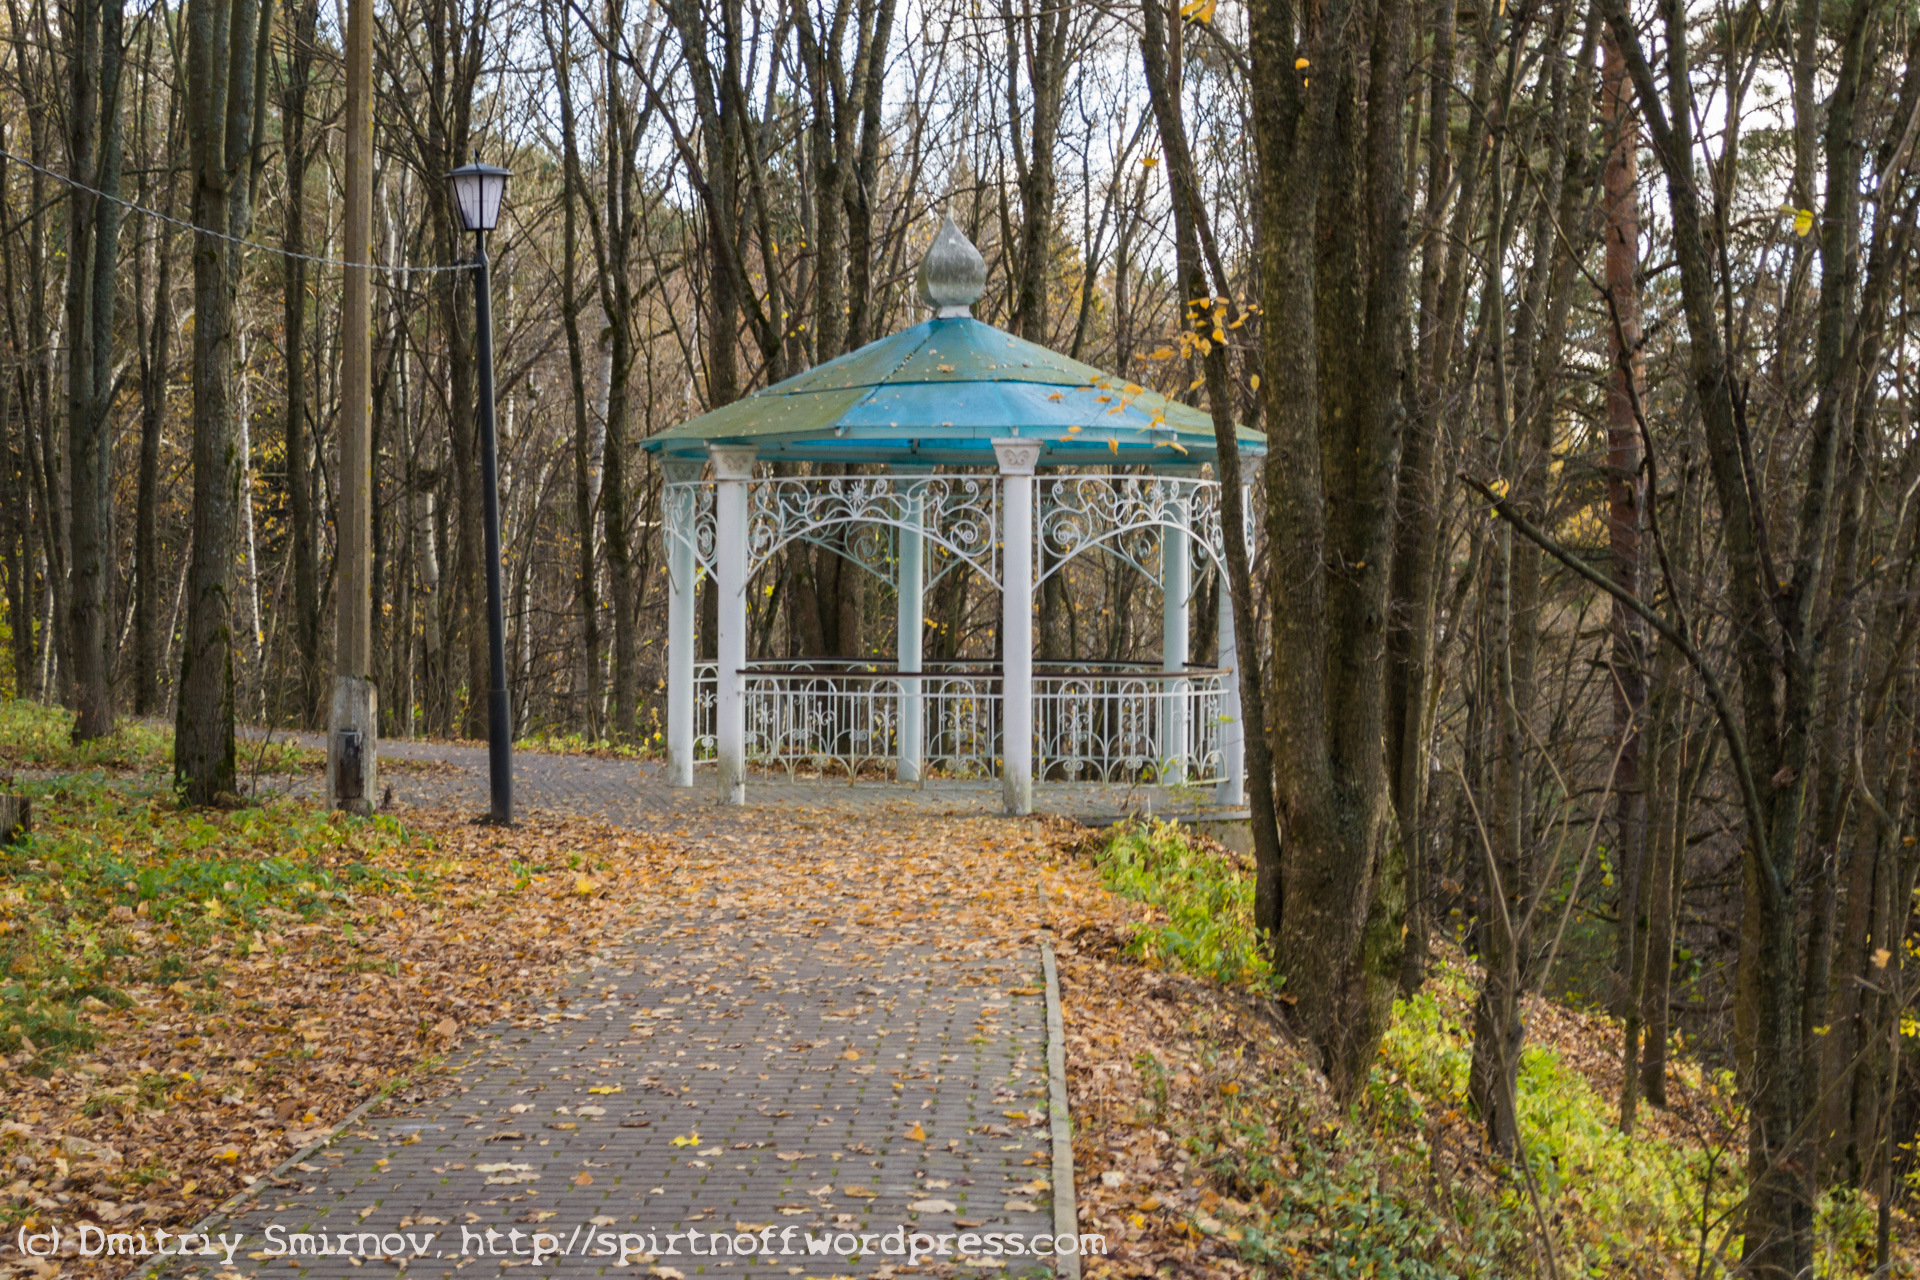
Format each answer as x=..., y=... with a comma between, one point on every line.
x=990, y=456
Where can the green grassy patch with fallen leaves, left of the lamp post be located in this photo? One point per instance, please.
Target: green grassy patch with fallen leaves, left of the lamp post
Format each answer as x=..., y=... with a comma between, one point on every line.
x=118, y=886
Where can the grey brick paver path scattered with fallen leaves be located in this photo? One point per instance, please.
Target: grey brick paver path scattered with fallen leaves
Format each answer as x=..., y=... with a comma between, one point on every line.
x=700, y=1102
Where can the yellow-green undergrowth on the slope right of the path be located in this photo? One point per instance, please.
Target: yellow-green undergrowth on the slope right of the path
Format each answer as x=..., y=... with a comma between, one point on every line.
x=1401, y=1185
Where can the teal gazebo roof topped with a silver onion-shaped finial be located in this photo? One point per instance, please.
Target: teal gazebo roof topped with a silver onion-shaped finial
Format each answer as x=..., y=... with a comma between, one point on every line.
x=944, y=391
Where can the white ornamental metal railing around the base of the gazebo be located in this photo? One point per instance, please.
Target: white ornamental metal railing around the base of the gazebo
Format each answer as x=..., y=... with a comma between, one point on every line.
x=1095, y=724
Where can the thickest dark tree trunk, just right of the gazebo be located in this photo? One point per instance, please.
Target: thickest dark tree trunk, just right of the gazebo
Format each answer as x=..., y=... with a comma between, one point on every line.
x=1333, y=268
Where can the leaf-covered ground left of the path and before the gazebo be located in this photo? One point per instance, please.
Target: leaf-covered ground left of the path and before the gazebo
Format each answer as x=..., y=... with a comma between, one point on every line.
x=195, y=995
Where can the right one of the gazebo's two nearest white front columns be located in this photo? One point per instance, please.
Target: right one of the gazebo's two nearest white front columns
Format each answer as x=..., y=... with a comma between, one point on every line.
x=1019, y=458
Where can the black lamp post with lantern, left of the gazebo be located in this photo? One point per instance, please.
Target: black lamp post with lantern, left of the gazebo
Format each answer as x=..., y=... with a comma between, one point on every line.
x=477, y=193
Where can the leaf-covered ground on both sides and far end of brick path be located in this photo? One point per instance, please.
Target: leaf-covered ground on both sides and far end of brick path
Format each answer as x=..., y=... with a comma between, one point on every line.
x=187, y=997
